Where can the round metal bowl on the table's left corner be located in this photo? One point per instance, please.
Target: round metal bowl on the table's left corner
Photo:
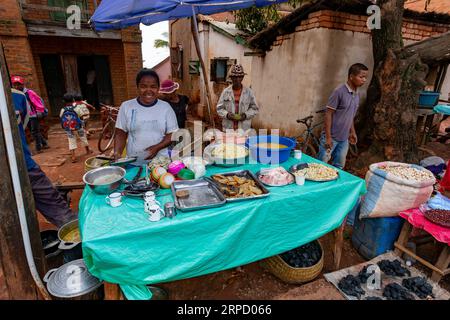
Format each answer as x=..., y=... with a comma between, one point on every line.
x=104, y=180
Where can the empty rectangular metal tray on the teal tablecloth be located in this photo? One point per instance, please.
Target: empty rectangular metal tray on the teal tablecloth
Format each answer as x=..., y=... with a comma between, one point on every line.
x=202, y=194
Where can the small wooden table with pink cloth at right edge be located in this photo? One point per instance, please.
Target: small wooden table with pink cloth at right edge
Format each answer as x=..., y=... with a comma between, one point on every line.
x=415, y=218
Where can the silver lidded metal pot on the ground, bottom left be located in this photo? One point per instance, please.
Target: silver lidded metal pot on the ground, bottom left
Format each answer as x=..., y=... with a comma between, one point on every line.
x=73, y=281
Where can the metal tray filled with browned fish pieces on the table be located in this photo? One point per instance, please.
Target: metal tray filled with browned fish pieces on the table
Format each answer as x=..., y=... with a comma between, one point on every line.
x=240, y=185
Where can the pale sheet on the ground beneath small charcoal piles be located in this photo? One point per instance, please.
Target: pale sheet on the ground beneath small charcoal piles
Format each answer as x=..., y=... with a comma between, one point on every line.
x=334, y=277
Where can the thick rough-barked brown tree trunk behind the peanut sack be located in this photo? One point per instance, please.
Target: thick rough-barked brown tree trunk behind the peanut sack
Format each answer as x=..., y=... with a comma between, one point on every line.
x=390, y=110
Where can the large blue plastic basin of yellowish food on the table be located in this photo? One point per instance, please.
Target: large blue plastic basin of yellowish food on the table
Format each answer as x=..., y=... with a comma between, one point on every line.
x=269, y=156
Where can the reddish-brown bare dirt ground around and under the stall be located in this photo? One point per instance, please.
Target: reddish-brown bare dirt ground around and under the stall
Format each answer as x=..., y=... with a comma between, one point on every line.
x=247, y=282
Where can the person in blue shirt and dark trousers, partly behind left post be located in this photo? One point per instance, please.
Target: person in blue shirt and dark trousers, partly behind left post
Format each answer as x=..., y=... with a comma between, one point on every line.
x=47, y=199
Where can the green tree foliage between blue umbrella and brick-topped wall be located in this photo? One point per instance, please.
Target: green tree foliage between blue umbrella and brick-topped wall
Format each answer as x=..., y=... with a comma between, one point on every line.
x=252, y=20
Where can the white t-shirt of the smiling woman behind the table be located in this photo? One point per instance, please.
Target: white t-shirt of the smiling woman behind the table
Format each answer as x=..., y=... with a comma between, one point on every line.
x=146, y=126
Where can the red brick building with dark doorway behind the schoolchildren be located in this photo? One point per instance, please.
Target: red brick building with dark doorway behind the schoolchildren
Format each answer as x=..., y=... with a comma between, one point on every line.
x=54, y=59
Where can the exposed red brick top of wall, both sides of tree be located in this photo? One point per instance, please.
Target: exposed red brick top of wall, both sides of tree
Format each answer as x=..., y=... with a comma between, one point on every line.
x=412, y=29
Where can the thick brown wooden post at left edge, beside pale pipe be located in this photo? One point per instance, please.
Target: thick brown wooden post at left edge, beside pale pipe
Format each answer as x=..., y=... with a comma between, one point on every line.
x=13, y=261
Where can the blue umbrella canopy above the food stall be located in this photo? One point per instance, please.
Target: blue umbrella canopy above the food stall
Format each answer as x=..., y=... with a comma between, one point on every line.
x=117, y=14
